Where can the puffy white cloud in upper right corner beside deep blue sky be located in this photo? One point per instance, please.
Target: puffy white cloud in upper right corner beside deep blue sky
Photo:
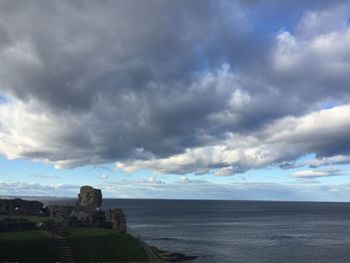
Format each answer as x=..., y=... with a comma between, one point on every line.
x=316, y=55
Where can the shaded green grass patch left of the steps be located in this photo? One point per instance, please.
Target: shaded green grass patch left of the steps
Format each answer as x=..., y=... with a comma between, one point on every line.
x=27, y=246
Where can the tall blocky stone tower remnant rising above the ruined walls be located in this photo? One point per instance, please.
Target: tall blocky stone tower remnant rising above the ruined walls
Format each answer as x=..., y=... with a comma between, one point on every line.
x=89, y=197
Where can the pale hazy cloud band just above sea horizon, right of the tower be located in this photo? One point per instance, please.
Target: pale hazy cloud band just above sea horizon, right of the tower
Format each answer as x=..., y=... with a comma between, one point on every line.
x=236, y=191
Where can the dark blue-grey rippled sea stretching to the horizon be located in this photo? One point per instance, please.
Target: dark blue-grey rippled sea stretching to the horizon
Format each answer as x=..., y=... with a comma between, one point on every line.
x=242, y=231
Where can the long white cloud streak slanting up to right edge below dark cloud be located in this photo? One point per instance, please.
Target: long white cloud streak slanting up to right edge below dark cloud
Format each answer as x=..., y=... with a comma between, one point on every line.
x=284, y=139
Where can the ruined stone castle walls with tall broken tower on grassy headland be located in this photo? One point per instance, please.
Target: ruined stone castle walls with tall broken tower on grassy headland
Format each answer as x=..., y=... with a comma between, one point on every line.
x=86, y=212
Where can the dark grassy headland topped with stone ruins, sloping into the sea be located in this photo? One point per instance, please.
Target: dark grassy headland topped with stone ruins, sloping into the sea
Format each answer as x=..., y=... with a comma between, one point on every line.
x=84, y=232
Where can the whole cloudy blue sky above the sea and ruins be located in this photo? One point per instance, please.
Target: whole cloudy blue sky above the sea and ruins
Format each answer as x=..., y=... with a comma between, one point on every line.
x=241, y=100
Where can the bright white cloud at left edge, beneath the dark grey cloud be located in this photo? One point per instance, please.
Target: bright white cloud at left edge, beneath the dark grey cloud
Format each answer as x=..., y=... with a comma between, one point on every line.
x=29, y=131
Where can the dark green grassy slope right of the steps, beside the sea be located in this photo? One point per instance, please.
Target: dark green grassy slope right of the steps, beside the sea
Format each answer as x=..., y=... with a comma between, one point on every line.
x=105, y=245
